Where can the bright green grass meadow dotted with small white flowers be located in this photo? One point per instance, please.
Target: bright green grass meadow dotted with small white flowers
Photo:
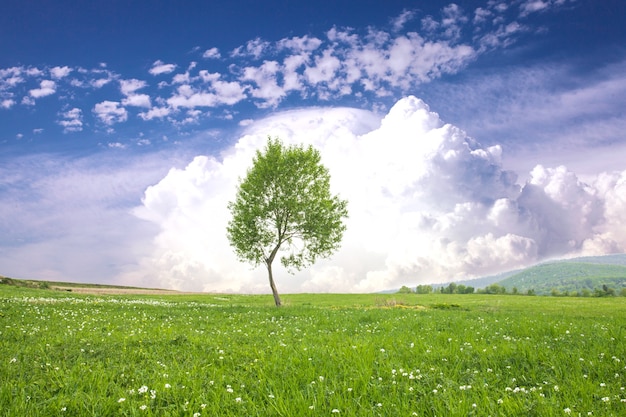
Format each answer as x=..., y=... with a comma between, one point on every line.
x=67, y=354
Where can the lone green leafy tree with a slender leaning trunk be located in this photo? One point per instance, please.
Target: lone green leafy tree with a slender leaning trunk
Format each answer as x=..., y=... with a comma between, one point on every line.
x=284, y=205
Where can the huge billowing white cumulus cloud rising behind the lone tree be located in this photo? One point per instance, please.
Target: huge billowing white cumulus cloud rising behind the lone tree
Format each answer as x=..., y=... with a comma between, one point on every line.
x=427, y=204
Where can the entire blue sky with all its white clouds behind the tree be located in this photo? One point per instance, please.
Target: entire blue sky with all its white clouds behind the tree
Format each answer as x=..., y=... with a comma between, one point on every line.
x=469, y=138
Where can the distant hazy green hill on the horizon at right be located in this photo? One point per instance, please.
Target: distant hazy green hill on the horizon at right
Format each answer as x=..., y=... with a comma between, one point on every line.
x=568, y=277
